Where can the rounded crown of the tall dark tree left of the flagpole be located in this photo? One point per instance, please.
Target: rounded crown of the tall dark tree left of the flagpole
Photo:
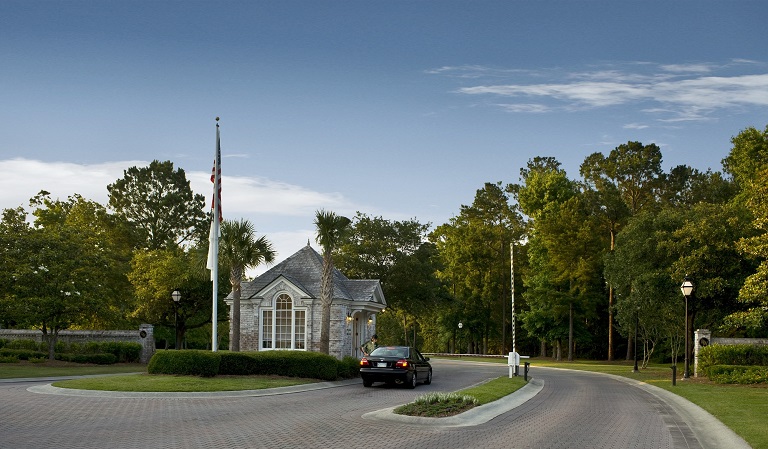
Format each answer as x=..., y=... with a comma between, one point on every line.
x=159, y=204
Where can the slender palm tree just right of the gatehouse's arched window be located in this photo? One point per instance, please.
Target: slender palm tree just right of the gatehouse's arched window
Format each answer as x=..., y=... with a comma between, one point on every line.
x=331, y=229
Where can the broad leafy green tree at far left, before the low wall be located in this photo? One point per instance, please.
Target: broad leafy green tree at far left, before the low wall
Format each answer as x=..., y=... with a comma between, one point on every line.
x=66, y=269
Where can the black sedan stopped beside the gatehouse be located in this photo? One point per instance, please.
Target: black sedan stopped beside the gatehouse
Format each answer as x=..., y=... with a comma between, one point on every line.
x=400, y=365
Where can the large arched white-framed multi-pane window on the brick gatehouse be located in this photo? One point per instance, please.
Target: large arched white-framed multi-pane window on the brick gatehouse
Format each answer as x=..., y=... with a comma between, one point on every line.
x=283, y=326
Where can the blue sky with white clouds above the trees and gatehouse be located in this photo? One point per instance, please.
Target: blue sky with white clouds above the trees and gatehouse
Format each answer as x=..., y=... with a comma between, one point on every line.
x=397, y=109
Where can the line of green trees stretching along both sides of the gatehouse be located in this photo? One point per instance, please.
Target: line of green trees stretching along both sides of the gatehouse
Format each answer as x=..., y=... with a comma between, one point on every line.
x=595, y=258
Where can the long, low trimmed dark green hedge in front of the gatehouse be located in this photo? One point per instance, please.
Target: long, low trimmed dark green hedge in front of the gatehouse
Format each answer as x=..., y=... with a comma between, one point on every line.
x=306, y=364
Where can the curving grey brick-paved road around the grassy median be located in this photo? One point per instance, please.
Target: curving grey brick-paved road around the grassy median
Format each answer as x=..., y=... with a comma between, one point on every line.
x=571, y=410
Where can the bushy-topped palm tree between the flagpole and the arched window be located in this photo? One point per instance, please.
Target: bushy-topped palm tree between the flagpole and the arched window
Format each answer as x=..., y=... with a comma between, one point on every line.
x=239, y=249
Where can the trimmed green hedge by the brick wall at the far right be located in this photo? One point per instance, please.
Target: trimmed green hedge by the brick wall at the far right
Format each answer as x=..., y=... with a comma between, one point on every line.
x=715, y=360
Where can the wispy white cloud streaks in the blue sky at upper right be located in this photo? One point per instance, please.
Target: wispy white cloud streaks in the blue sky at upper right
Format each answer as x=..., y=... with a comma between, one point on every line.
x=675, y=92
